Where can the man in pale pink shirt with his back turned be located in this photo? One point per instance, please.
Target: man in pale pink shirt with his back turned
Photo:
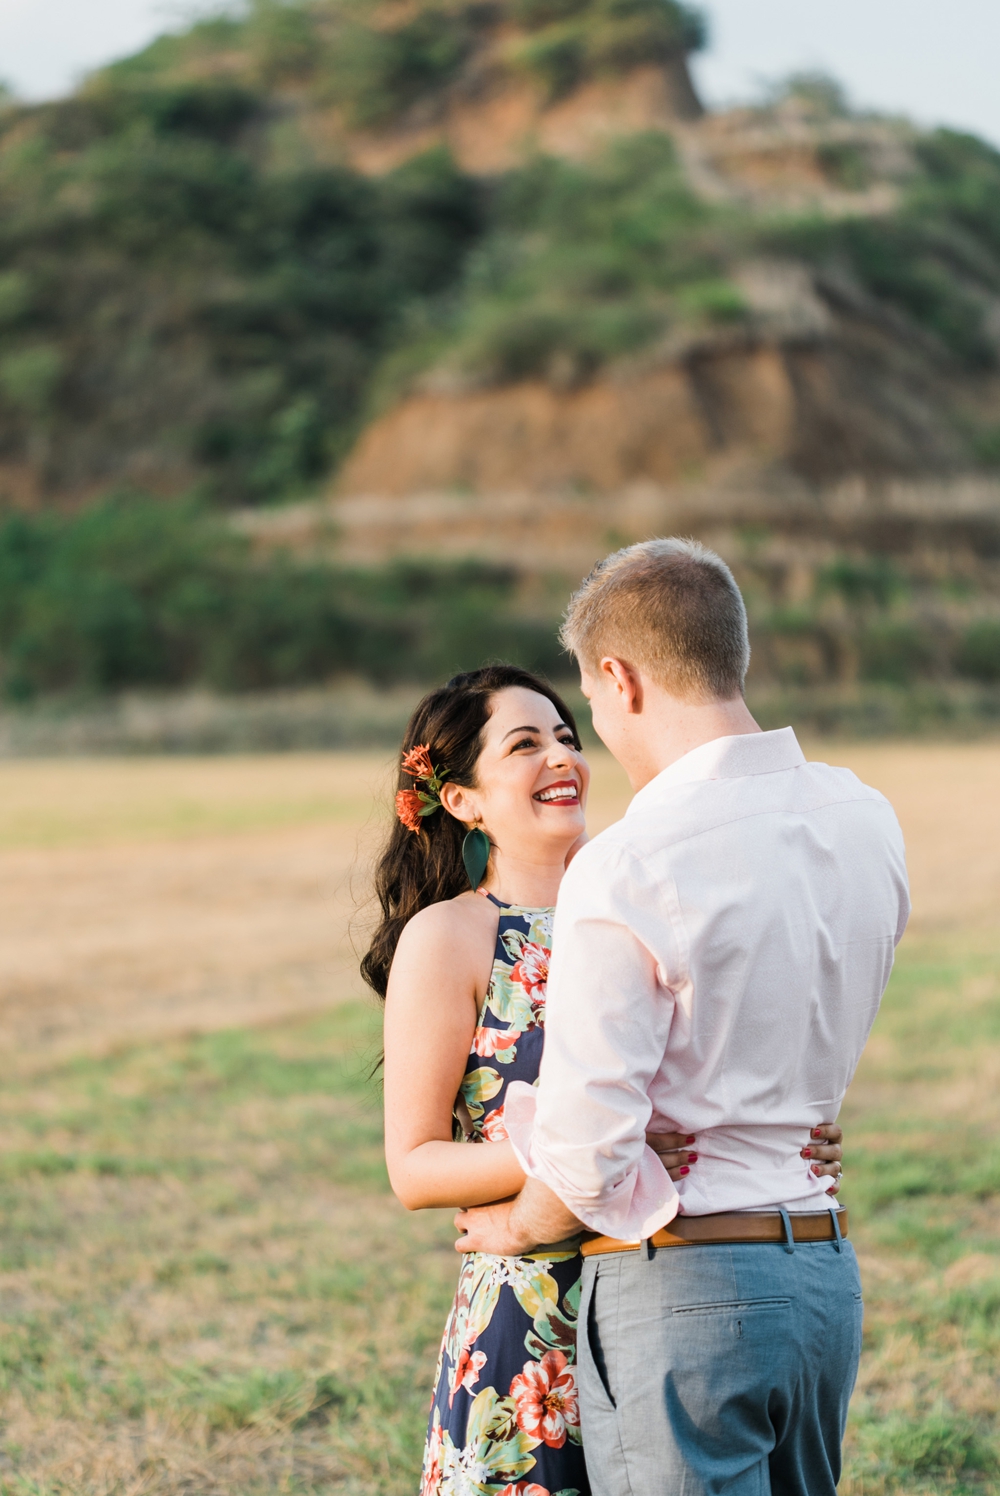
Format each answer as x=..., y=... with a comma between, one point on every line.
x=719, y=960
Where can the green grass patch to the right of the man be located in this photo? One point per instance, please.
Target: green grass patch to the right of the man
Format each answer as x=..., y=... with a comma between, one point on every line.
x=924, y=1190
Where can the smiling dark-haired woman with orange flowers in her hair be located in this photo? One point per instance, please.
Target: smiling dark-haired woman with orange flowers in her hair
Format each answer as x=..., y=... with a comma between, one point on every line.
x=490, y=812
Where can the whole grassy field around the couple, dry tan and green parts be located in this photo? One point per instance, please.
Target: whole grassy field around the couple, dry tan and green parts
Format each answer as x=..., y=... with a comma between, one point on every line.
x=206, y=1286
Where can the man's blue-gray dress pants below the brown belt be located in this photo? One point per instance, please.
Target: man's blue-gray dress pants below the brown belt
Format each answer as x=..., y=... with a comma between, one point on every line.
x=718, y=1370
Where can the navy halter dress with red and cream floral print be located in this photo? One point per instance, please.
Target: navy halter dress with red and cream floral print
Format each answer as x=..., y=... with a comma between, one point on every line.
x=504, y=1416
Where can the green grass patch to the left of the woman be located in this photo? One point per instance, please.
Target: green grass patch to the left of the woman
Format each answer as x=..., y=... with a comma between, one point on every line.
x=248, y=1314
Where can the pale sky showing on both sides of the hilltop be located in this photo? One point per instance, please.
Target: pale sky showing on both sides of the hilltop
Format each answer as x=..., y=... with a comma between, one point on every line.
x=932, y=61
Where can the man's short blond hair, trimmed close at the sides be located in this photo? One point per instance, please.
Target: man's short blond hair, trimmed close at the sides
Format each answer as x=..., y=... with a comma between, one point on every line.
x=668, y=608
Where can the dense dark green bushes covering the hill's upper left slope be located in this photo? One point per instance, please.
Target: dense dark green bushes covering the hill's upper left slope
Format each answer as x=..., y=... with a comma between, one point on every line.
x=164, y=295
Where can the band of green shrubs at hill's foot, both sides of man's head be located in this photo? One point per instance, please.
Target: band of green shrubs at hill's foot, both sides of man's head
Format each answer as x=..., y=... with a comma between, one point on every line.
x=135, y=592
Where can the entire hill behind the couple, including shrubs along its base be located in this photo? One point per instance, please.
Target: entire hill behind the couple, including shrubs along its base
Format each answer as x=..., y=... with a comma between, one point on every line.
x=484, y=291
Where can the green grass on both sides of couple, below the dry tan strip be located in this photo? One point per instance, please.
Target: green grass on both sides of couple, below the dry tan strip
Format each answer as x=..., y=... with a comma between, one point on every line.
x=254, y=1314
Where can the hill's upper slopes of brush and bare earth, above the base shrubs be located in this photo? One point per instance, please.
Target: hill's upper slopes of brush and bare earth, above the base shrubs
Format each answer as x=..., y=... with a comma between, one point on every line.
x=502, y=230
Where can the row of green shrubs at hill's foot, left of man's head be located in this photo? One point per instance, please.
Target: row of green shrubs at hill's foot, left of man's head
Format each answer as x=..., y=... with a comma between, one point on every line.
x=134, y=592
